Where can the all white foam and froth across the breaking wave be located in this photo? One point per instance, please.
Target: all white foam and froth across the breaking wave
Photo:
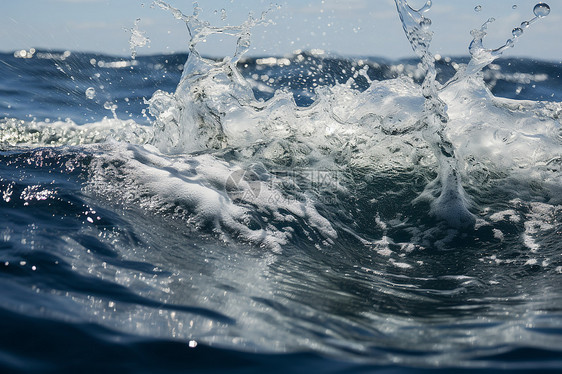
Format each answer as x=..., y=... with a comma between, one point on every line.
x=460, y=132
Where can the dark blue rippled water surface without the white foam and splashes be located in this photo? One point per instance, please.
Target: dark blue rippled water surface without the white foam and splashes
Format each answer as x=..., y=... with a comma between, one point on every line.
x=91, y=282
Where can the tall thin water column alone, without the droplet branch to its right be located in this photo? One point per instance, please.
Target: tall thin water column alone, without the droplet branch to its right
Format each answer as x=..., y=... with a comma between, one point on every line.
x=451, y=202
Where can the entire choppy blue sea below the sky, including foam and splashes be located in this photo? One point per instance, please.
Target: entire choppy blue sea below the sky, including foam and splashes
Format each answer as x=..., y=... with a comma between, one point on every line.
x=302, y=213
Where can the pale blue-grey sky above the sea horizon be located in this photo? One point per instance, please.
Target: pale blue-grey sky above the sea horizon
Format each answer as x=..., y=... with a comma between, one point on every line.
x=344, y=27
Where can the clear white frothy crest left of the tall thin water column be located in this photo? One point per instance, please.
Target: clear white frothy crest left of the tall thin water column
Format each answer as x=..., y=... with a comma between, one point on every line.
x=214, y=107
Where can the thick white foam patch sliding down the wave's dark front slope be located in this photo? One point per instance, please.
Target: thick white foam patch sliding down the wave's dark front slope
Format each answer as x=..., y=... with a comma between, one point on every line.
x=205, y=192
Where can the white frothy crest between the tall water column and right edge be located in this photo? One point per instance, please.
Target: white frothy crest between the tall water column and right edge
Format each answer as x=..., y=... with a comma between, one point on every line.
x=519, y=140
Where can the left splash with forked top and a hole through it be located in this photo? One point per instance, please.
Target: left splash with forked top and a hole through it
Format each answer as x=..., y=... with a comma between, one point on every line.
x=191, y=118
